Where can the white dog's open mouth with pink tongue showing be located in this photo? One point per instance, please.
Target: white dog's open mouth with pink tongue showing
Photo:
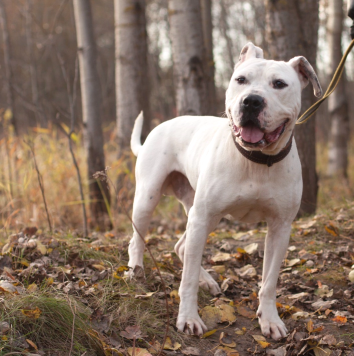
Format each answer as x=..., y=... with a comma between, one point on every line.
x=254, y=136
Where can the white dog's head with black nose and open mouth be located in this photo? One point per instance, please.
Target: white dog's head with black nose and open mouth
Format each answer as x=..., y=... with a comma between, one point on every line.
x=263, y=99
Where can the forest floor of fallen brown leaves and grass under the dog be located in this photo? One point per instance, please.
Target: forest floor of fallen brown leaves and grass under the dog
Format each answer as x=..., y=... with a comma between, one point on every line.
x=67, y=295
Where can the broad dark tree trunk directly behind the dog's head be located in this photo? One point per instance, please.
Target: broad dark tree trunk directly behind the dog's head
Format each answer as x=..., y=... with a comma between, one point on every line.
x=291, y=30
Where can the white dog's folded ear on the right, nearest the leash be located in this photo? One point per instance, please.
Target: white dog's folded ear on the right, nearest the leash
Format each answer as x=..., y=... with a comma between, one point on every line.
x=306, y=73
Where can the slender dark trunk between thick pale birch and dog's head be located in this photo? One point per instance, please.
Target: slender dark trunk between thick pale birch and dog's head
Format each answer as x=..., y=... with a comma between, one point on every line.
x=208, y=44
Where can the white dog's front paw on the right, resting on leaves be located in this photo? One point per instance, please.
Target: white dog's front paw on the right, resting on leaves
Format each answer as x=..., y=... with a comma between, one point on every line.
x=271, y=325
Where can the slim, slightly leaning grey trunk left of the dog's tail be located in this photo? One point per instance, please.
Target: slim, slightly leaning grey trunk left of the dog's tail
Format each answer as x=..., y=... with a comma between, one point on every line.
x=91, y=110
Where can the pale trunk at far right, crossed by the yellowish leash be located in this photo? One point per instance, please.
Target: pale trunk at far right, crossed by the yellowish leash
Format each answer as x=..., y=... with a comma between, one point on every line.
x=337, y=102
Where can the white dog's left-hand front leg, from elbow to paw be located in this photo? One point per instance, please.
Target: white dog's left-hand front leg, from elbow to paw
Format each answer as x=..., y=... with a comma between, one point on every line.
x=198, y=227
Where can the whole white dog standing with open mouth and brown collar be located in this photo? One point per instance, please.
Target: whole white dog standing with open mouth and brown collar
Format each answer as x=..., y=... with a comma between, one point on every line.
x=246, y=166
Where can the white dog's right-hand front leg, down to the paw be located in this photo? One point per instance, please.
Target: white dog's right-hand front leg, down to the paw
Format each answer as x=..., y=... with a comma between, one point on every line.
x=276, y=244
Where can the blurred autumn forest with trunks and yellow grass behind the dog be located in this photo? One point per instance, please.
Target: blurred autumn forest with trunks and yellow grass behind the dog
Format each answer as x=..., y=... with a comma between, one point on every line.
x=75, y=74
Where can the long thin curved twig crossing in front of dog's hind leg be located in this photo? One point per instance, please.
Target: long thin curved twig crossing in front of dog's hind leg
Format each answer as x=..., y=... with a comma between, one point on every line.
x=103, y=175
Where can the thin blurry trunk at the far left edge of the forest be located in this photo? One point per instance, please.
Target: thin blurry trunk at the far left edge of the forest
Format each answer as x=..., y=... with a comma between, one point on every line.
x=8, y=70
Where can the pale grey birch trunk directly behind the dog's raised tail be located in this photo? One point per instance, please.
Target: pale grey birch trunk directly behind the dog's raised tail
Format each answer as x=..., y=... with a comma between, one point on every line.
x=132, y=80
